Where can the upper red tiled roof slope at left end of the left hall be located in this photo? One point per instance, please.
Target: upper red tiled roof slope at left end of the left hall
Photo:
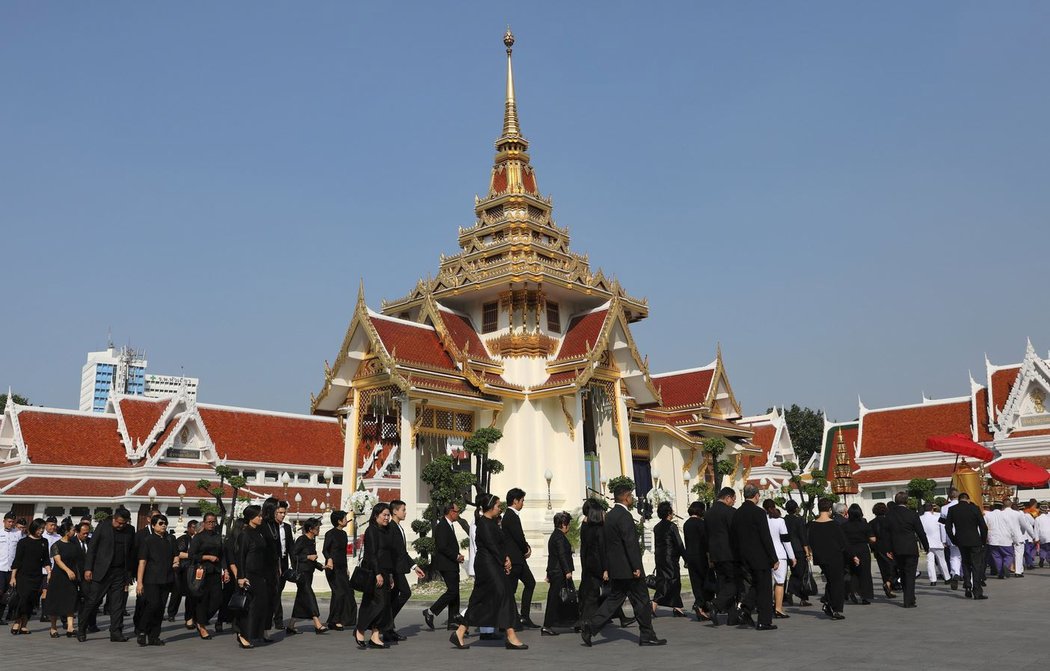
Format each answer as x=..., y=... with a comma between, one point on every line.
x=82, y=441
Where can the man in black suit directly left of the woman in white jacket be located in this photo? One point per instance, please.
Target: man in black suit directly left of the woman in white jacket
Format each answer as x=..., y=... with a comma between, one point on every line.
x=757, y=557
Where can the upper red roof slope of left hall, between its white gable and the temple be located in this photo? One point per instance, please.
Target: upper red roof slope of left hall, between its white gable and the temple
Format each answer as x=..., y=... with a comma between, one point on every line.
x=243, y=436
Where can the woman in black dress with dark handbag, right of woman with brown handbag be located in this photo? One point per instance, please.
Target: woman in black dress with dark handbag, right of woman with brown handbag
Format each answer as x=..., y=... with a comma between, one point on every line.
x=258, y=571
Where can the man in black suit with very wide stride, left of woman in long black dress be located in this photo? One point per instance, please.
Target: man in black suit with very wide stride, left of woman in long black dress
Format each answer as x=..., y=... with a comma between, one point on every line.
x=626, y=580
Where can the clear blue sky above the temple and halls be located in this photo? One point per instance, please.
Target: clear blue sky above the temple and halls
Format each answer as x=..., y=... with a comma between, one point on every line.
x=852, y=198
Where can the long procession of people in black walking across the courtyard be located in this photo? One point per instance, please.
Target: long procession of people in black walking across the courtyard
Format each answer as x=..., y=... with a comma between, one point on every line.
x=744, y=564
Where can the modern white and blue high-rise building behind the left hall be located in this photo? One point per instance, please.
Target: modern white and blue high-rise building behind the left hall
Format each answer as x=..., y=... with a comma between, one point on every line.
x=123, y=371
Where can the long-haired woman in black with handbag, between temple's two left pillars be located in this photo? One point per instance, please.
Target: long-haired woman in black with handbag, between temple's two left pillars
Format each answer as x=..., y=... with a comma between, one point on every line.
x=376, y=614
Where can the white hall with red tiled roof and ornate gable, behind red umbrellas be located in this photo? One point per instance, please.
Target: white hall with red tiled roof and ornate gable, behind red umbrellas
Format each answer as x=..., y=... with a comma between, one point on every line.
x=1007, y=414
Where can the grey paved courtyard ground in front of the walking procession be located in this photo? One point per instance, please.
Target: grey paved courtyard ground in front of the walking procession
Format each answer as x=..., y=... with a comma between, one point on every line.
x=960, y=635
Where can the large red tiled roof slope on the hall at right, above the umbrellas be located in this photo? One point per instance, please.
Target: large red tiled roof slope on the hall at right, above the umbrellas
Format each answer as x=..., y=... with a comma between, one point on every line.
x=905, y=431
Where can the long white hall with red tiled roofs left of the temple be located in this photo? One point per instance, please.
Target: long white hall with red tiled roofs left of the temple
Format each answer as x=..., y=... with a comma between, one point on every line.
x=75, y=463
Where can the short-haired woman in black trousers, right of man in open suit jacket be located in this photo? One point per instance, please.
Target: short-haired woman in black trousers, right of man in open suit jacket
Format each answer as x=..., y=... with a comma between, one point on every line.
x=158, y=557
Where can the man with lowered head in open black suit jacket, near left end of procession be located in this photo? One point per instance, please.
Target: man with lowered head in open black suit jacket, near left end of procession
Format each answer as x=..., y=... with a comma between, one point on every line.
x=108, y=572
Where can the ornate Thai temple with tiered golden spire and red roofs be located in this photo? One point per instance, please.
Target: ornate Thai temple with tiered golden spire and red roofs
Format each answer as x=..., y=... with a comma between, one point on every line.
x=517, y=331
